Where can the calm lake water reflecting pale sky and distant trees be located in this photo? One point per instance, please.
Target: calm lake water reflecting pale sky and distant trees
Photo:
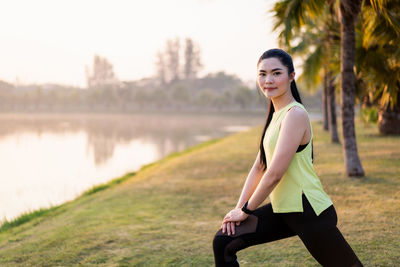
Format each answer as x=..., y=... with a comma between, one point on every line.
x=49, y=159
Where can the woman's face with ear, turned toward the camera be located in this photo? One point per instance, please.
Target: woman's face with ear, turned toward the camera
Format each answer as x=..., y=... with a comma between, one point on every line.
x=273, y=77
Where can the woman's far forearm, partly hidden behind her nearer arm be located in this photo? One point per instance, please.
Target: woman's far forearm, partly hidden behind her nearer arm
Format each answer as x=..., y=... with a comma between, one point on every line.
x=252, y=180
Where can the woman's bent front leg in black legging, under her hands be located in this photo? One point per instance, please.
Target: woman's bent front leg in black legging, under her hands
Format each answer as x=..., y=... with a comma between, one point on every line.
x=261, y=227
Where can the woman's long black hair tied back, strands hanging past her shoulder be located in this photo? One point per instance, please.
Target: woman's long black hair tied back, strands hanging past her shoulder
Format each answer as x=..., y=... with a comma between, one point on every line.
x=287, y=61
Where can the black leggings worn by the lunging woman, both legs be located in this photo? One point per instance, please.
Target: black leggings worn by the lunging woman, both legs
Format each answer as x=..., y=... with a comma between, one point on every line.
x=318, y=233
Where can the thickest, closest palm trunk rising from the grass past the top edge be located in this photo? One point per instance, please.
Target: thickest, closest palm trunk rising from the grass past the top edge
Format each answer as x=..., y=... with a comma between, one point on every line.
x=349, y=10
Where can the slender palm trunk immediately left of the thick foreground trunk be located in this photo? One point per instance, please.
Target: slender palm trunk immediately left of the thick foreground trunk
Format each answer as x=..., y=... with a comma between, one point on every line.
x=332, y=108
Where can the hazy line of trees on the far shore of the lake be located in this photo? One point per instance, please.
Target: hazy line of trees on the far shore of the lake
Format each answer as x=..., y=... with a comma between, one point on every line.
x=175, y=86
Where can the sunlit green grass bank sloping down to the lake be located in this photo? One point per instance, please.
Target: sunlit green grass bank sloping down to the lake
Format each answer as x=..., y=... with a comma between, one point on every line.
x=166, y=214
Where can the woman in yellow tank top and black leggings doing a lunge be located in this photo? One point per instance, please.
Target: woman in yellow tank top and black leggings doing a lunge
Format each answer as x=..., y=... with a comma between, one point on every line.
x=283, y=171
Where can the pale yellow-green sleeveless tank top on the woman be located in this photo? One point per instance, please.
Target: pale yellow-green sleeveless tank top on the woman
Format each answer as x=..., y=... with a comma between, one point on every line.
x=299, y=177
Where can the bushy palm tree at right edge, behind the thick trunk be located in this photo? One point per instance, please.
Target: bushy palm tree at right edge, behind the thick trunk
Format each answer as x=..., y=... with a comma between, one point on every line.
x=378, y=60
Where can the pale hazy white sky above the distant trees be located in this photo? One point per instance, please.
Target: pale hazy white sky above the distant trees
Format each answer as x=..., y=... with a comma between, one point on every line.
x=52, y=40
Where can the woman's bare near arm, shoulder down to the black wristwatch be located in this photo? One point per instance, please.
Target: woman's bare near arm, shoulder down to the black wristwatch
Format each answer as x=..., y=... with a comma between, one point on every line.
x=293, y=129
